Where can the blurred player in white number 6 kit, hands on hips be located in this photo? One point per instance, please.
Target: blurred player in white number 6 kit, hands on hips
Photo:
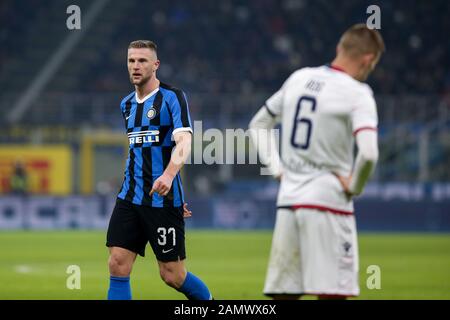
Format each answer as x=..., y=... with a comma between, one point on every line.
x=322, y=111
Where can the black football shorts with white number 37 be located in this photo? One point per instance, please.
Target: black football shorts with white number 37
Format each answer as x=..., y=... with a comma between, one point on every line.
x=131, y=226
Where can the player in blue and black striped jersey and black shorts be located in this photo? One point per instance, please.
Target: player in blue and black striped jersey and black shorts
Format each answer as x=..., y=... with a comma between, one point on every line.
x=150, y=205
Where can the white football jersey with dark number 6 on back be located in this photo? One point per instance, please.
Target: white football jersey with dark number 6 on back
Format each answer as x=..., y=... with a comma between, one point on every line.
x=320, y=110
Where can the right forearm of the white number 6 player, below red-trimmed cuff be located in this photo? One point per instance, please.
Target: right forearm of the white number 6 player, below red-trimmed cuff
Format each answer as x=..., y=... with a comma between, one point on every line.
x=366, y=160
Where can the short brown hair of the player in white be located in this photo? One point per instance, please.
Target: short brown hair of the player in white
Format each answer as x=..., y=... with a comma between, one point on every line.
x=359, y=40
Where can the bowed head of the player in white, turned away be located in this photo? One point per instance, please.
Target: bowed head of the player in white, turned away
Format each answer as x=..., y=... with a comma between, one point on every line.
x=359, y=50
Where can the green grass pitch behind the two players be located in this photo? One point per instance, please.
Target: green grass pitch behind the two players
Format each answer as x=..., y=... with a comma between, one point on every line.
x=233, y=264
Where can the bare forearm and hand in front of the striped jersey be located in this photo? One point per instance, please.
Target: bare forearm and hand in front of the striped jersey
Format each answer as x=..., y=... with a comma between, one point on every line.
x=177, y=160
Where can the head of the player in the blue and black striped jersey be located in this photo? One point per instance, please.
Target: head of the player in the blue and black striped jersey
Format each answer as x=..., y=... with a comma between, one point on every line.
x=142, y=61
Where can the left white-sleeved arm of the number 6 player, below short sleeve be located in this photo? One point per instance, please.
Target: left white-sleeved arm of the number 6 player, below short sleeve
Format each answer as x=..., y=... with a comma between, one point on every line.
x=263, y=138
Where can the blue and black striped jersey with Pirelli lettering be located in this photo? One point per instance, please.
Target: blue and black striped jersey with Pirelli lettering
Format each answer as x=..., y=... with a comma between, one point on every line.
x=150, y=124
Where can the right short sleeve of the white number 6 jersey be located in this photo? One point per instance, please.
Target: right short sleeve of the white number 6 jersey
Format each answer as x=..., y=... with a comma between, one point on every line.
x=364, y=114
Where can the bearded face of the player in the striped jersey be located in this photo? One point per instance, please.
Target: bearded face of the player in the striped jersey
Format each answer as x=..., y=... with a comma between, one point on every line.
x=142, y=65
